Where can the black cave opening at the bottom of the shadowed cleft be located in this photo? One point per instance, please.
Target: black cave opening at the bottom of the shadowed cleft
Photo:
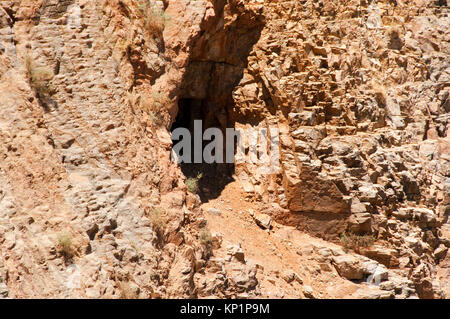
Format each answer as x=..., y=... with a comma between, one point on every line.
x=211, y=178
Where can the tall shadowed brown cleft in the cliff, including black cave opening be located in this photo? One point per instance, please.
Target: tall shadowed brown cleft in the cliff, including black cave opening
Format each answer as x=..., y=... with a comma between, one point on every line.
x=216, y=65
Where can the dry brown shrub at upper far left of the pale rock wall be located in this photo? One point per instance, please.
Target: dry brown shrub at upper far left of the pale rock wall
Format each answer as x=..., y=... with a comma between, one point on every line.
x=39, y=77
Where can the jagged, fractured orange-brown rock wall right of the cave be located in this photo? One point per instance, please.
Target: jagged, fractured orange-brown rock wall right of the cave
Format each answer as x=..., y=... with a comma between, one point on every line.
x=360, y=93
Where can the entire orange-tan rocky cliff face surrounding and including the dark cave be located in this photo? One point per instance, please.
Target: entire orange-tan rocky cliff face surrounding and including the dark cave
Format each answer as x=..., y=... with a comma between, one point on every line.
x=92, y=206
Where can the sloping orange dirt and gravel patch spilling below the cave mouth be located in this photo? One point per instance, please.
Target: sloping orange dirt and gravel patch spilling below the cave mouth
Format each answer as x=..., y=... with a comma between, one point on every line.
x=277, y=253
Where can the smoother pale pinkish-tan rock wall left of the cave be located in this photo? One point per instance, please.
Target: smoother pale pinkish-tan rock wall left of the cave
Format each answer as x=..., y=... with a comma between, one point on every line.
x=87, y=160
